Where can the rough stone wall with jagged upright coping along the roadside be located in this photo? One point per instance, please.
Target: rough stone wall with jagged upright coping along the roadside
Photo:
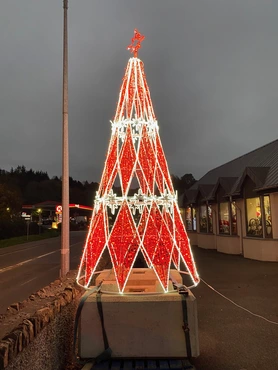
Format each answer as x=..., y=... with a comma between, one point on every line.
x=43, y=340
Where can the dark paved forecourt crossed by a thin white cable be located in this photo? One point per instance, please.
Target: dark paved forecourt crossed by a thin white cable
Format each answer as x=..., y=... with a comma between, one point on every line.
x=231, y=338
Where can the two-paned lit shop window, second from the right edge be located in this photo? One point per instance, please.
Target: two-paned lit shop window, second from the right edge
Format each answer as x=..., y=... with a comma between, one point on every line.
x=227, y=218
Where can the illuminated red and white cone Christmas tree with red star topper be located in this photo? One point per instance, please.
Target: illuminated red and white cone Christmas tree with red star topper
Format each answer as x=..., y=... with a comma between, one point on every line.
x=148, y=220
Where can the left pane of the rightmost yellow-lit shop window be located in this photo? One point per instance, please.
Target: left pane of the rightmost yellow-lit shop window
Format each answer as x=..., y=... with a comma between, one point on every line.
x=254, y=217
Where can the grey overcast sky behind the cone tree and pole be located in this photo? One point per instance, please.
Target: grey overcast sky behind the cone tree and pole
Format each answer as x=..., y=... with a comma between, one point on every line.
x=211, y=65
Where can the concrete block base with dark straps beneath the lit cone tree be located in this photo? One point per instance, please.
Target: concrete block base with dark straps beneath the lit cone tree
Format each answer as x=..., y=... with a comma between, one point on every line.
x=139, y=325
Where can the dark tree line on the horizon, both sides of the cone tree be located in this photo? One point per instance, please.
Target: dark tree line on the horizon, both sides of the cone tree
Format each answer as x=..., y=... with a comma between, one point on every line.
x=21, y=186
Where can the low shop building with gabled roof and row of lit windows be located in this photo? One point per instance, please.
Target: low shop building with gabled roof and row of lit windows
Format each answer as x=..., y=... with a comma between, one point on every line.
x=234, y=207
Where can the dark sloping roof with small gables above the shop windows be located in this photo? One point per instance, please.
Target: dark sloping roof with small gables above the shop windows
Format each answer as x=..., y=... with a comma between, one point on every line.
x=261, y=165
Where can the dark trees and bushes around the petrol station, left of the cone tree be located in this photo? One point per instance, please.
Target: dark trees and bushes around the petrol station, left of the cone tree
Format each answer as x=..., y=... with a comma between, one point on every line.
x=21, y=186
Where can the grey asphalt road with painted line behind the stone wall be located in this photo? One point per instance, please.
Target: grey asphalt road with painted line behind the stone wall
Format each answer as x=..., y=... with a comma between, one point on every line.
x=26, y=268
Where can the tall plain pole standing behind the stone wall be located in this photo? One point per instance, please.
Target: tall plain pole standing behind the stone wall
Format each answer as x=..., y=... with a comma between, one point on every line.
x=65, y=251
